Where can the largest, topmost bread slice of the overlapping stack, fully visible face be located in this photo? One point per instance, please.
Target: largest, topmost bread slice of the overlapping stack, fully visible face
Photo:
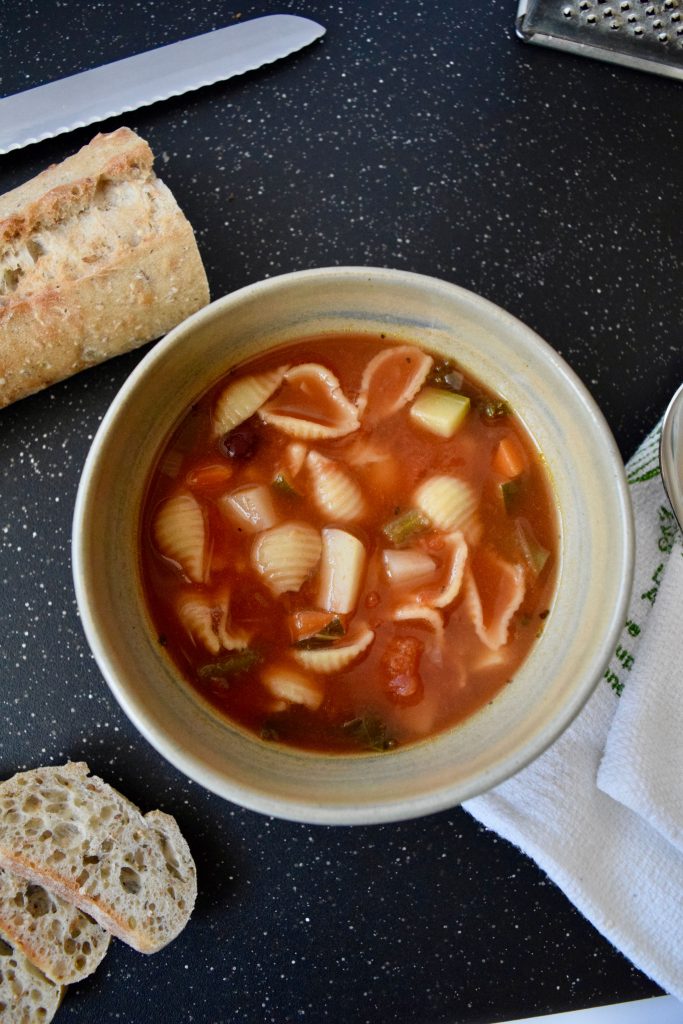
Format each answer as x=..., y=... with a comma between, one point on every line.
x=78, y=837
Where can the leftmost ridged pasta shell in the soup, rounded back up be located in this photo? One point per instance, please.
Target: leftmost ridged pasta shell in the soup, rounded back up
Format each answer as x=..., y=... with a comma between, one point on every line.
x=181, y=534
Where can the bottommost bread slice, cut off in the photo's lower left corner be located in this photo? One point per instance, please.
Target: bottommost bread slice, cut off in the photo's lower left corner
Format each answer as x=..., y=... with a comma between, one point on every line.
x=27, y=997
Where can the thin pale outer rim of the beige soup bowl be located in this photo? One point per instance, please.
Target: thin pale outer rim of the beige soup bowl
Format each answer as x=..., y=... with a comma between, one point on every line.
x=258, y=798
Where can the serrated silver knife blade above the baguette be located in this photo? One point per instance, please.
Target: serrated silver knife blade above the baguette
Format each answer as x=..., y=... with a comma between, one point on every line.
x=148, y=78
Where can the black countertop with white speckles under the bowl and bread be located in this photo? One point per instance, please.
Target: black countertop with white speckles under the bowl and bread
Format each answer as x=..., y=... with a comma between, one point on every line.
x=419, y=136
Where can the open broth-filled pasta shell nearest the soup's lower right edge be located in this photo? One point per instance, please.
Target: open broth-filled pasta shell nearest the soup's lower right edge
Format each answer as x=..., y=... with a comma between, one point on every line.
x=492, y=610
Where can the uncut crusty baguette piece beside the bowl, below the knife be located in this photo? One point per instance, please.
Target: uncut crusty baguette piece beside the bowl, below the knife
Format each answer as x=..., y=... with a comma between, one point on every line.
x=96, y=259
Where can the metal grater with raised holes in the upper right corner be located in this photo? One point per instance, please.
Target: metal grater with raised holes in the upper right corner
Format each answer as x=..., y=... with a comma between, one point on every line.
x=645, y=34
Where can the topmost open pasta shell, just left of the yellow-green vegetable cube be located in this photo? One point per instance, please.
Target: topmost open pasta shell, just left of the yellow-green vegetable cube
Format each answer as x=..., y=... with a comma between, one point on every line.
x=392, y=379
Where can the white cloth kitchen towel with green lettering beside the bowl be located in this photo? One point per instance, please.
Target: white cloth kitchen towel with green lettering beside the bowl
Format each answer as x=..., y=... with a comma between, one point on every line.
x=611, y=846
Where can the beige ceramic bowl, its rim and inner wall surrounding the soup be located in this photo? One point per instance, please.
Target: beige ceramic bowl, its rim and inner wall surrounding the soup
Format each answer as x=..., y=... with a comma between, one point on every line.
x=595, y=567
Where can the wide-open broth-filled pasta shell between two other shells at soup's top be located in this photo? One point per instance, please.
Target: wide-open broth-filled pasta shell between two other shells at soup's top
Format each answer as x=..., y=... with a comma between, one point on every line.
x=312, y=405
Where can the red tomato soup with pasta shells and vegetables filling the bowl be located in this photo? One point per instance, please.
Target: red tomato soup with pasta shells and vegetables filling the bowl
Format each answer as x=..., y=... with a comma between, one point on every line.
x=349, y=545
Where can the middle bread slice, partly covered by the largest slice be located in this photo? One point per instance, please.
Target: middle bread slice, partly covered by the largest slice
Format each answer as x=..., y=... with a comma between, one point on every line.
x=66, y=945
